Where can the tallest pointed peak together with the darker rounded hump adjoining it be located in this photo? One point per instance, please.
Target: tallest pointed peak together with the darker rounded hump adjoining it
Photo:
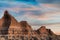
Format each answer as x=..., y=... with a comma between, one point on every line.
x=9, y=23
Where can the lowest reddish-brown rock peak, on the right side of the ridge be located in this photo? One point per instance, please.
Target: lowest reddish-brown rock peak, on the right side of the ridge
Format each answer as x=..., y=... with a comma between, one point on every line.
x=46, y=34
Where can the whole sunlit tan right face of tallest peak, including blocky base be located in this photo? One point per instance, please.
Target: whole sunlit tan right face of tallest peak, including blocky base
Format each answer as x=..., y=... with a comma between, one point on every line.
x=14, y=28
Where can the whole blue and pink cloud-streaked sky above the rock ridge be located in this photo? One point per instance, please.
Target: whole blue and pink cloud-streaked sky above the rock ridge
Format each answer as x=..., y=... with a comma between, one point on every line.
x=35, y=12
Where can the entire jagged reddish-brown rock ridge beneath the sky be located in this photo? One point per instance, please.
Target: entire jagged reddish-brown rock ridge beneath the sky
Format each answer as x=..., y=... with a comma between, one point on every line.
x=10, y=26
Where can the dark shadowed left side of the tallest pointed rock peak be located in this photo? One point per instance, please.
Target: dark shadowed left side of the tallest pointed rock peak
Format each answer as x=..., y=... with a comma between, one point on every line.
x=5, y=22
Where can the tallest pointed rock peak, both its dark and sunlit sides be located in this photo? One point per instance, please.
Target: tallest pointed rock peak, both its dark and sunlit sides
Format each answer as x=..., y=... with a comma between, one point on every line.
x=8, y=24
